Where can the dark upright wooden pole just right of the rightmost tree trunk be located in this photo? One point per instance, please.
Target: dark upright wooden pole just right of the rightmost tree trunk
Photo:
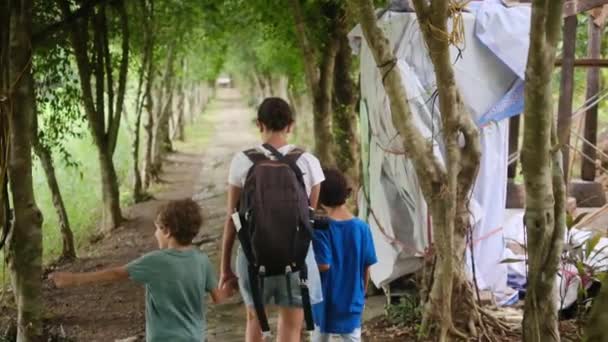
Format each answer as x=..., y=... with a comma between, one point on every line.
x=564, y=119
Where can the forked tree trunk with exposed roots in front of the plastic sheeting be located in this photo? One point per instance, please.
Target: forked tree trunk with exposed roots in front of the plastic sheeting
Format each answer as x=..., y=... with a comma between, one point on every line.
x=451, y=310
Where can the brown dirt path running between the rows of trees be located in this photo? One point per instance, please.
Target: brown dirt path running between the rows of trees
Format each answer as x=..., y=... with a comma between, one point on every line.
x=116, y=311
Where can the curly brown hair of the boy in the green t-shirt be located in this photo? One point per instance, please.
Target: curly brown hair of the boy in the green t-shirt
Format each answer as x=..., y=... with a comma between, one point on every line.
x=181, y=218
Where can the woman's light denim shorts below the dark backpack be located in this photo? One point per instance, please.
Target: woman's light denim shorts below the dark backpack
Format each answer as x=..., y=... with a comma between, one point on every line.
x=275, y=287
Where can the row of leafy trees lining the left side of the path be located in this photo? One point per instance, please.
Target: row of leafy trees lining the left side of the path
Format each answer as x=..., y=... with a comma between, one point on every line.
x=108, y=65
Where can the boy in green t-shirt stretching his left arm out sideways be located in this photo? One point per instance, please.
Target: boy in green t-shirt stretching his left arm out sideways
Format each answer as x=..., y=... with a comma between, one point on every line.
x=177, y=277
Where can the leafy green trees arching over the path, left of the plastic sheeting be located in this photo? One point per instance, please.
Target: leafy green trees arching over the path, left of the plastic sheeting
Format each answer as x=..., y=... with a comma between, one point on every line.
x=145, y=65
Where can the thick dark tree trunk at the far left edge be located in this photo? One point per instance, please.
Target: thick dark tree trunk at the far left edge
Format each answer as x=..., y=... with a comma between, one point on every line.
x=24, y=246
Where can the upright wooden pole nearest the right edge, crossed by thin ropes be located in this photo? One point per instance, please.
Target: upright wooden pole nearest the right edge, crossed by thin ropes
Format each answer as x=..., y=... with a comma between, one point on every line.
x=593, y=86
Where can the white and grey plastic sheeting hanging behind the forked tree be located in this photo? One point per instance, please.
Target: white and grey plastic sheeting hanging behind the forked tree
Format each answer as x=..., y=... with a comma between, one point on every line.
x=396, y=210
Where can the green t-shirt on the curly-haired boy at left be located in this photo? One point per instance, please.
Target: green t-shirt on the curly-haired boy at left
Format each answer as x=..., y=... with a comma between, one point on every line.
x=177, y=283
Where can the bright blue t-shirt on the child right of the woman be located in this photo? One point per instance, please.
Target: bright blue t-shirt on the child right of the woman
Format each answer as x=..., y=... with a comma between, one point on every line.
x=348, y=248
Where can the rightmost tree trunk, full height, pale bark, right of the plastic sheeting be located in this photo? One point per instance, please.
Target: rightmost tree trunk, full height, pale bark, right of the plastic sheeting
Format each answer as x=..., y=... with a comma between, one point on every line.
x=541, y=164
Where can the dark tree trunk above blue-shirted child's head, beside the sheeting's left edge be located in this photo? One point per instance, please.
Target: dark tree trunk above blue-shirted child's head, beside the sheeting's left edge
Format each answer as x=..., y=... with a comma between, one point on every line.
x=345, y=120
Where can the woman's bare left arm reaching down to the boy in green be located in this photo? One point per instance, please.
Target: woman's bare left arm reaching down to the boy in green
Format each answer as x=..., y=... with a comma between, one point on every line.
x=229, y=236
